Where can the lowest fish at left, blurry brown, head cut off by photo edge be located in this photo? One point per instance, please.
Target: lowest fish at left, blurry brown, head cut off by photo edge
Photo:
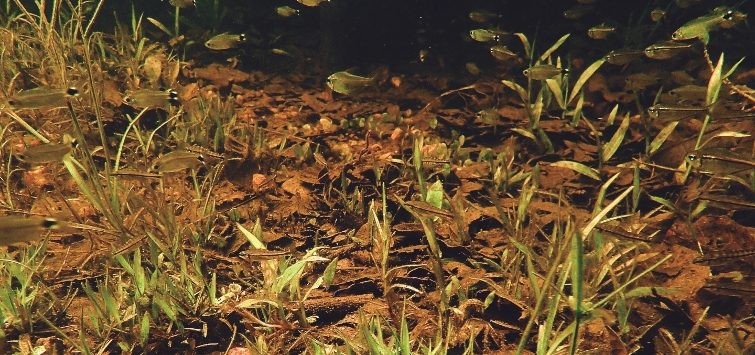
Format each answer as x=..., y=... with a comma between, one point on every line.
x=15, y=229
